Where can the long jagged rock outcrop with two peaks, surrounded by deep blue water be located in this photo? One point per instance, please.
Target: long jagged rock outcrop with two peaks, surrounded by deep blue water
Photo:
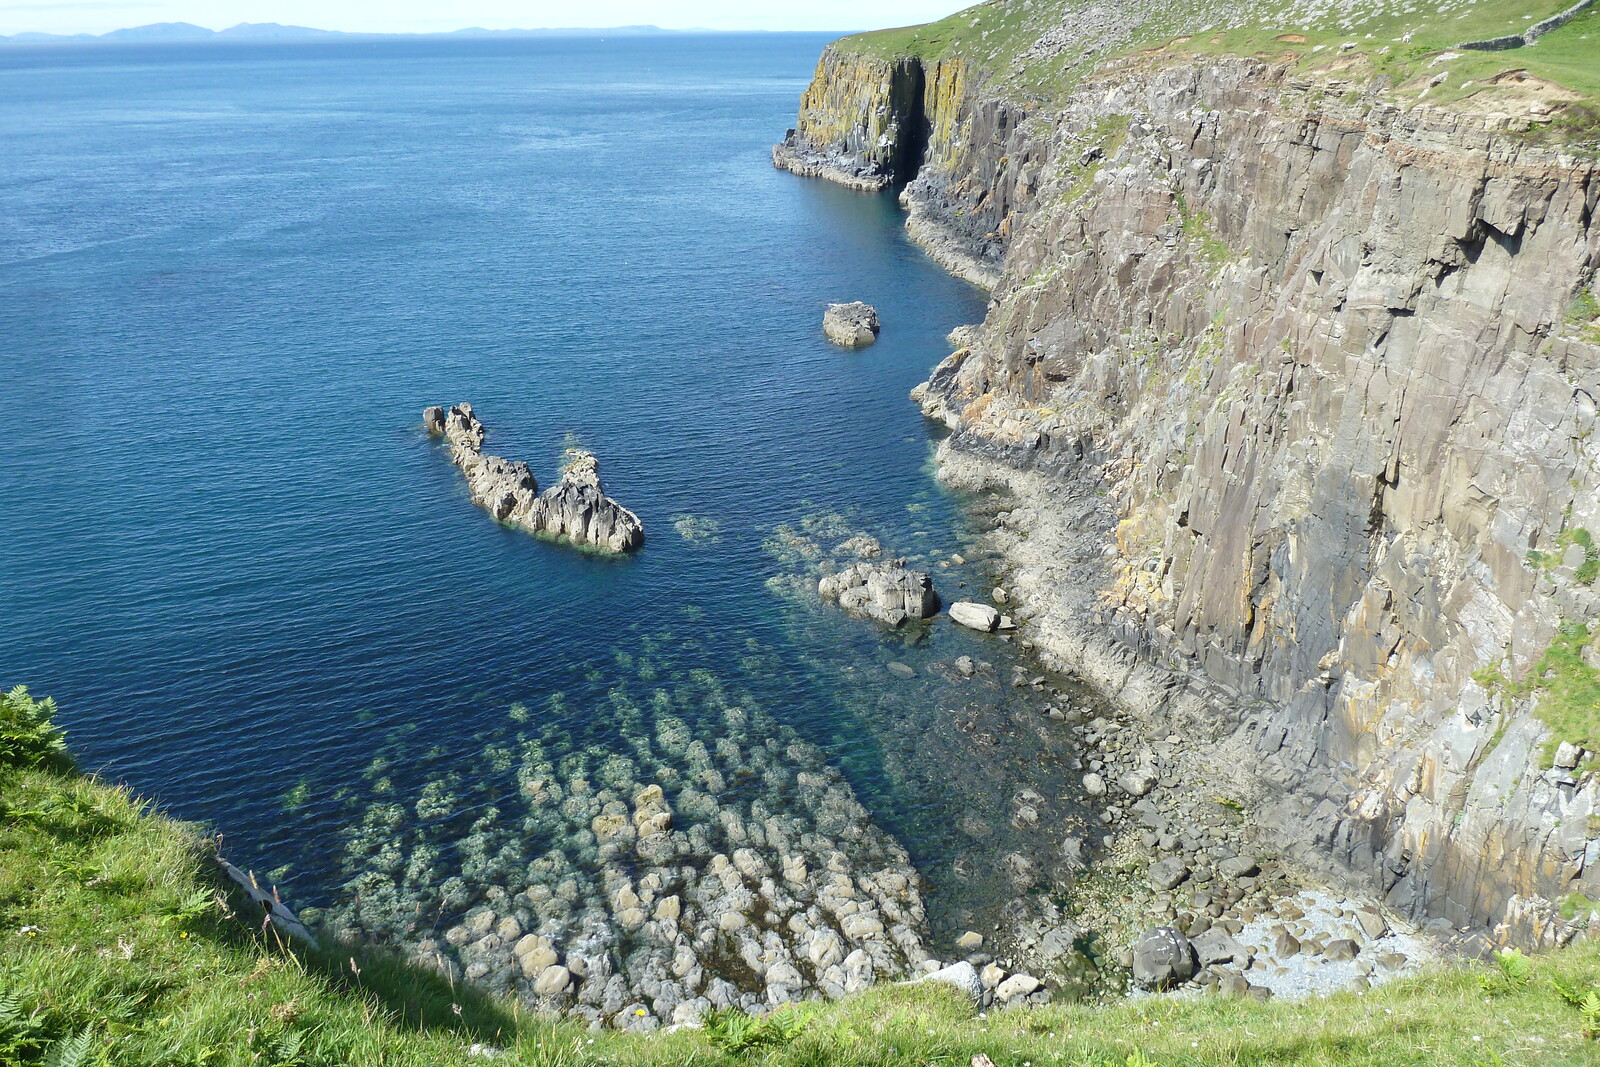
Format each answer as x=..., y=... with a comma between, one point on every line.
x=575, y=510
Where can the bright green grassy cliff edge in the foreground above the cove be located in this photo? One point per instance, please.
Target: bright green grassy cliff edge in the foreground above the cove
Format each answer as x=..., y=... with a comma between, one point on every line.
x=119, y=945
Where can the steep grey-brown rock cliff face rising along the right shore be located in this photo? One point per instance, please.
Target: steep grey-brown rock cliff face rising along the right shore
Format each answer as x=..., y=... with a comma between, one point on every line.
x=1300, y=417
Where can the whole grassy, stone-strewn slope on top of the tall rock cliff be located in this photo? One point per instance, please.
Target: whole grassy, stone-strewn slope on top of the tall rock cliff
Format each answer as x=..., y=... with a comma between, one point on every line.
x=1039, y=49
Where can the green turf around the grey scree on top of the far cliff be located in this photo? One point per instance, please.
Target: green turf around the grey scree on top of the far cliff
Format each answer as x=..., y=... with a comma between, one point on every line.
x=1398, y=54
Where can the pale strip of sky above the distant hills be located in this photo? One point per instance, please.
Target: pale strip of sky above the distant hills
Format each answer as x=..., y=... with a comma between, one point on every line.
x=422, y=17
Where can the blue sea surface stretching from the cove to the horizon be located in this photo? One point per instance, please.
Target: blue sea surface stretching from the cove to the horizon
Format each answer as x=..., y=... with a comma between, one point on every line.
x=233, y=276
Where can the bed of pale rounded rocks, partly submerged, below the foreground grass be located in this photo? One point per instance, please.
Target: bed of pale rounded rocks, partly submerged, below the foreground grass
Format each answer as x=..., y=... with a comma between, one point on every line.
x=705, y=857
